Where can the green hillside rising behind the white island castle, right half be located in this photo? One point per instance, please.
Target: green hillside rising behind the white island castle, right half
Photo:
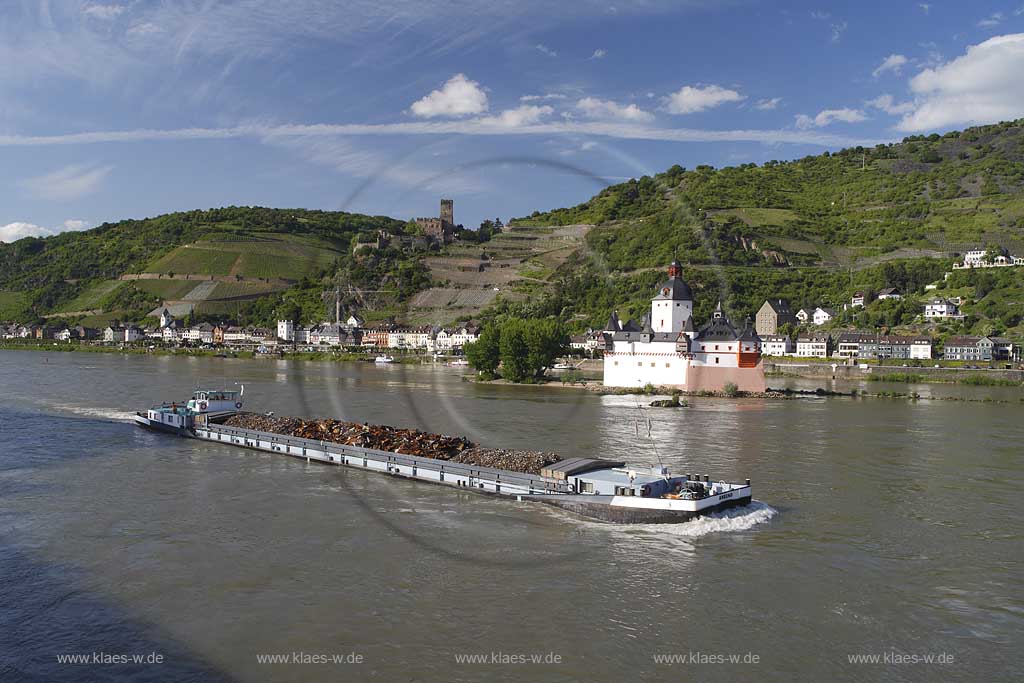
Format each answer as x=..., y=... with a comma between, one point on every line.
x=814, y=231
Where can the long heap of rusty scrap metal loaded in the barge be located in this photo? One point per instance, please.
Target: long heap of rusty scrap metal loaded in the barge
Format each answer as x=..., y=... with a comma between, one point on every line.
x=408, y=442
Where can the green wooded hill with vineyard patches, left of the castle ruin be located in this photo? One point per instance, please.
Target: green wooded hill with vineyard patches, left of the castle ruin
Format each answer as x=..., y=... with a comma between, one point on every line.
x=246, y=253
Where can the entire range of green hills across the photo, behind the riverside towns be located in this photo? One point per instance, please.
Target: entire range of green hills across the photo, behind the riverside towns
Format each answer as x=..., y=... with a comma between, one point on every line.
x=813, y=231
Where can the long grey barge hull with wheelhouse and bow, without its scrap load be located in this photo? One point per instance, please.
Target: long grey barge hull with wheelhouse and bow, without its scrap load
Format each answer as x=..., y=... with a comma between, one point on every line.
x=604, y=490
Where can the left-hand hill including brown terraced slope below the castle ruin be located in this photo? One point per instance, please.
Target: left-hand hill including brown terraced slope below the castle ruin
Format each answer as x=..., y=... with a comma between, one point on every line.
x=254, y=265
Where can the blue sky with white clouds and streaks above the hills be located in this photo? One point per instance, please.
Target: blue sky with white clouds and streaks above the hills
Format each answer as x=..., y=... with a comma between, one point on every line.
x=130, y=109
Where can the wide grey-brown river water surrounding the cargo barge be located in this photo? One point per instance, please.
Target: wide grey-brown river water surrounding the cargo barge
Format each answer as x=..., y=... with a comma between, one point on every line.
x=885, y=529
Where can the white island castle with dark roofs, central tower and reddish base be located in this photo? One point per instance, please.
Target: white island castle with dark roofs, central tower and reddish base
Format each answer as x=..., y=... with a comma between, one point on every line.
x=668, y=350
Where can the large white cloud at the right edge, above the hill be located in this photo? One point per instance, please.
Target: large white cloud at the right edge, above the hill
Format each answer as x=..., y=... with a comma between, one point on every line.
x=980, y=87
